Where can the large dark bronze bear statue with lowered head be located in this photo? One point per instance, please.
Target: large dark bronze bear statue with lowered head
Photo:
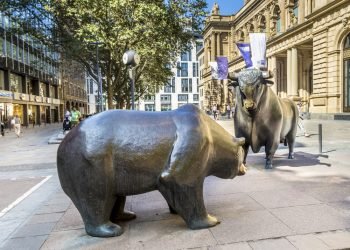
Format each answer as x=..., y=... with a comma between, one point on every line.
x=119, y=153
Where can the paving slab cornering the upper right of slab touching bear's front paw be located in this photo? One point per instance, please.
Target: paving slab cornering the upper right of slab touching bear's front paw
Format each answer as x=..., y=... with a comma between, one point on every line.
x=282, y=198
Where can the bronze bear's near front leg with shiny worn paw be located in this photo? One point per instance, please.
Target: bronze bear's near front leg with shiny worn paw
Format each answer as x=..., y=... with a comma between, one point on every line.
x=188, y=202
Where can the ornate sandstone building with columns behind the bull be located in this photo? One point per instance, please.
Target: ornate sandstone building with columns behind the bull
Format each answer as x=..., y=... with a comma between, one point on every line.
x=308, y=49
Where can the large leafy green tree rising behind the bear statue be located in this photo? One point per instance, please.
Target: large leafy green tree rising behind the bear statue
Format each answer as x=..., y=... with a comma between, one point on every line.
x=158, y=30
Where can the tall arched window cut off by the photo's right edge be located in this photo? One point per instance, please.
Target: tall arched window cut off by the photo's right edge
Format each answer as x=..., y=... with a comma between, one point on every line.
x=346, y=56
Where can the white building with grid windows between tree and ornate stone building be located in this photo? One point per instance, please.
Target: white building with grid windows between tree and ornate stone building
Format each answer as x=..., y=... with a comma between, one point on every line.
x=182, y=88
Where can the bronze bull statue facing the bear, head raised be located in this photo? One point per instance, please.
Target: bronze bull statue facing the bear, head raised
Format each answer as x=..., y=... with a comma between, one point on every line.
x=261, y=117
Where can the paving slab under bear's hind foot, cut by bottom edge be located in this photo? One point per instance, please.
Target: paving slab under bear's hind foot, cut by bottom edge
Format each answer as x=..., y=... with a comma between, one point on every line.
x=78, y=239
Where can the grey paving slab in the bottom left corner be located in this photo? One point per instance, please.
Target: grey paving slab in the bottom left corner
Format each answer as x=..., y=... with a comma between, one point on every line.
x=25, y=243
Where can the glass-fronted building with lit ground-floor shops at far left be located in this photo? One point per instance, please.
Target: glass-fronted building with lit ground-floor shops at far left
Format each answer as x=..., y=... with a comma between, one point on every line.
x=29, y=84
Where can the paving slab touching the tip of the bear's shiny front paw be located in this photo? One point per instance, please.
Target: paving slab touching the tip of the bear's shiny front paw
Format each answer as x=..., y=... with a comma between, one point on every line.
x=252, y=225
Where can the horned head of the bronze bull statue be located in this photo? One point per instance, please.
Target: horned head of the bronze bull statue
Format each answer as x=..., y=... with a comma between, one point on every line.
x=251, y=83
